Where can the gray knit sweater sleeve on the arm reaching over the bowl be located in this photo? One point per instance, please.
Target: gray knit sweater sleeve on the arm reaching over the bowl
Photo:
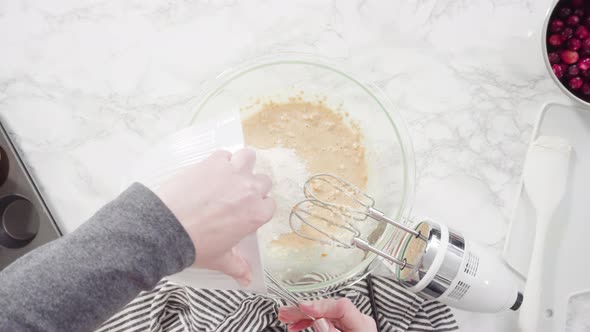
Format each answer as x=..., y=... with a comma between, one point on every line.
x=78, y=281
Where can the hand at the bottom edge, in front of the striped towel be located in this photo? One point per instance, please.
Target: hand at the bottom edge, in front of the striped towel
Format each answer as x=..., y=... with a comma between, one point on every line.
x=331, y=316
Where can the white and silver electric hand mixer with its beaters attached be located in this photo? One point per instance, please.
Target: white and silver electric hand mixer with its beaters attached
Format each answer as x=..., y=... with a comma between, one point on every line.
x=437, y=262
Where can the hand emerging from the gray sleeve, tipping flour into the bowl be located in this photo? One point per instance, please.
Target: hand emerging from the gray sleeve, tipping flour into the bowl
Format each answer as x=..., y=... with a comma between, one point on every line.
x=219, y=201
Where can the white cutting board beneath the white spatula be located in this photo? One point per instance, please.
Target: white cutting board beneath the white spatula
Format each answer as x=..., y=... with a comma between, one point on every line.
x=567, y=271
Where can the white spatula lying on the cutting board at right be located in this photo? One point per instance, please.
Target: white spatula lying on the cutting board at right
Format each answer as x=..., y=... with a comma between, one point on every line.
x=545, y=178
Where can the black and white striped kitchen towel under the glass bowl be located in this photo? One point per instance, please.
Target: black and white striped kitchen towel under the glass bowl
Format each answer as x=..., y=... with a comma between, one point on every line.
x=174, y=308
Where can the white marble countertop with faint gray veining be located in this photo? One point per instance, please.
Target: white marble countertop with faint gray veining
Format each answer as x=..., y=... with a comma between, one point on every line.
x=87, y=86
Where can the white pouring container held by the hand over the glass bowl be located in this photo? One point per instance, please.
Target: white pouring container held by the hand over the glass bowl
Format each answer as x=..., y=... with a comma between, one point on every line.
x=180, y=150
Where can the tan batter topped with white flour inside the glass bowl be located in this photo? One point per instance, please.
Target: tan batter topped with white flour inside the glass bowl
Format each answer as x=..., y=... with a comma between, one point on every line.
x=324, y=141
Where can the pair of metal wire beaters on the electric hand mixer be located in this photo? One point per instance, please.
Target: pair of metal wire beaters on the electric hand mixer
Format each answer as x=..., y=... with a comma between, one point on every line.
x=333, y=203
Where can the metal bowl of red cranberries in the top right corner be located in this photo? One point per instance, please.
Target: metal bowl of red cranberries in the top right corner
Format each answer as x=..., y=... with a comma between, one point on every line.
x=567, y=47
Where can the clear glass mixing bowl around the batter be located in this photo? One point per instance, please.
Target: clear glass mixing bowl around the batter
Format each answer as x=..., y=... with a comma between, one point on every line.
x=388, y=149
